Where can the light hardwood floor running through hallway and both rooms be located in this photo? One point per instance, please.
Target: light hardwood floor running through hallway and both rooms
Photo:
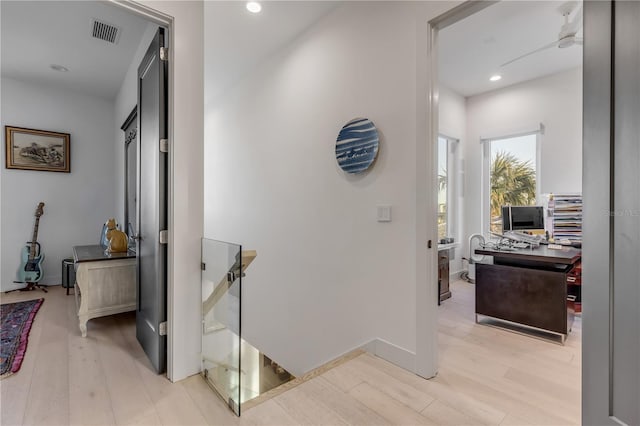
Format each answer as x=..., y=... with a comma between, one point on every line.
x=487, y=376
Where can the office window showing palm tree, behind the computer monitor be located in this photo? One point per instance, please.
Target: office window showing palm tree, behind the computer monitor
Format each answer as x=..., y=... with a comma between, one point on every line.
x=512, y=175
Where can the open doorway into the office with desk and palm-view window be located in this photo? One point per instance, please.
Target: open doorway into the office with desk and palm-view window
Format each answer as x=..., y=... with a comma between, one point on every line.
x=514, y=103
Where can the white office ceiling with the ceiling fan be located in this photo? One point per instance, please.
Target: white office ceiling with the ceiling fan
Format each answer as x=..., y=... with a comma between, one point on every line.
x=471, y=50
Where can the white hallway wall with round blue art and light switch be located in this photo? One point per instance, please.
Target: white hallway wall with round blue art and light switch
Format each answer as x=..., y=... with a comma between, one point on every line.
x=328, y=277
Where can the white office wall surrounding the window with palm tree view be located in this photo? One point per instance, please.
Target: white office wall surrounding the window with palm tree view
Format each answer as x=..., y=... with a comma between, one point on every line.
x=555, y=101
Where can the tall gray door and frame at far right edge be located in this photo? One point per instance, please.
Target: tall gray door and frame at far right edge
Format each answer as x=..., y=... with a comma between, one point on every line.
x=611, y=181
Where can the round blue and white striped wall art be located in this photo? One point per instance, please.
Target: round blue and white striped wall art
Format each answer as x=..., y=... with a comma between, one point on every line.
x=357, y=145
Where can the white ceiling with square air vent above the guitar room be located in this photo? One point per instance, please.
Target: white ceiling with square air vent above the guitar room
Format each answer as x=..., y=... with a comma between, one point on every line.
x=36, y=34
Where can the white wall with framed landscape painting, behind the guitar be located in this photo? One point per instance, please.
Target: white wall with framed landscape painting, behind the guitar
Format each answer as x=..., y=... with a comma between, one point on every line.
x=76, y=203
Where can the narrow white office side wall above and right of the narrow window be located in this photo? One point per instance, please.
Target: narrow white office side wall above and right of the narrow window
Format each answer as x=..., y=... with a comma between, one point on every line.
x=452, y=122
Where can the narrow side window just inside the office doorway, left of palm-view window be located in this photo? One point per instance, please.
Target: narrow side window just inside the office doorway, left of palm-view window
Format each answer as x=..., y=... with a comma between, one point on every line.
x=446, y=186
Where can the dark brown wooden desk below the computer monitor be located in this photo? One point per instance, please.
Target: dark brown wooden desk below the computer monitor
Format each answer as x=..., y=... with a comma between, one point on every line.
x=527, y=286
